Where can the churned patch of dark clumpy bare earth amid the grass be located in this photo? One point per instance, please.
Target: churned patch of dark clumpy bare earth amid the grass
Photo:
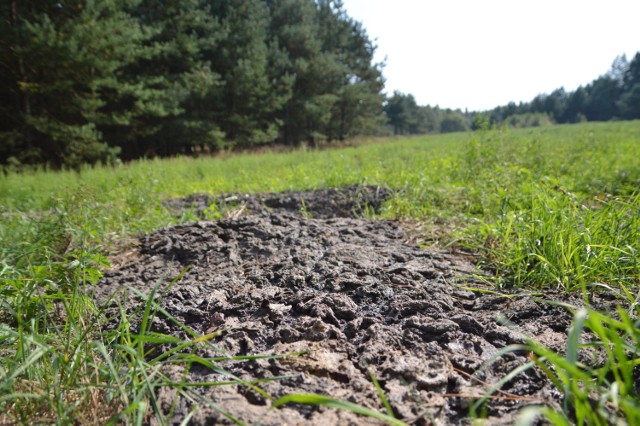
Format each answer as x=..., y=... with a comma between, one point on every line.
x=304, y=272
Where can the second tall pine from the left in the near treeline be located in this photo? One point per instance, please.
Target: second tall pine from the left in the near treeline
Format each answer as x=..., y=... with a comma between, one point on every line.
x=174, y=86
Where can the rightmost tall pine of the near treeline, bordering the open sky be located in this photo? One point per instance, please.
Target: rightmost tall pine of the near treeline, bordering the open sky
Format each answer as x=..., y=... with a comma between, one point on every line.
x=336, y=91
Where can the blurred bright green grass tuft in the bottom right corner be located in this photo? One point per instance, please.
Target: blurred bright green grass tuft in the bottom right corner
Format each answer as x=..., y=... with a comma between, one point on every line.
x=604, y=392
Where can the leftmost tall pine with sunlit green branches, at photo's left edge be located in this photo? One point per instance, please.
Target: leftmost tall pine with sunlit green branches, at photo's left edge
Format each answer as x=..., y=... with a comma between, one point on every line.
x=63, y=56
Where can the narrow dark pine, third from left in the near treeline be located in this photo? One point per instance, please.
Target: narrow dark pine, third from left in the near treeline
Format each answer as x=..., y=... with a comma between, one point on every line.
x=253, y=90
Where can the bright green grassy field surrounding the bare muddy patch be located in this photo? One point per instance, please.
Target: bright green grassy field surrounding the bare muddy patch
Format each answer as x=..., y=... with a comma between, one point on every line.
x=557, y=208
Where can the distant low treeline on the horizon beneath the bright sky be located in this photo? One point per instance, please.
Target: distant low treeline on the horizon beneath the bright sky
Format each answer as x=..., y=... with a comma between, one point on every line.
x=612, y=96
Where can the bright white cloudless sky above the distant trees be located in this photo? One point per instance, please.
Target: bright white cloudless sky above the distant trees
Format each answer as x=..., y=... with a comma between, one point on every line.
x=479, y=54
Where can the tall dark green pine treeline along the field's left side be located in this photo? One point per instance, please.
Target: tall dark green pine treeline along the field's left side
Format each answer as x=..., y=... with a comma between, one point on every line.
x=87, y=80
